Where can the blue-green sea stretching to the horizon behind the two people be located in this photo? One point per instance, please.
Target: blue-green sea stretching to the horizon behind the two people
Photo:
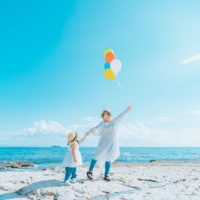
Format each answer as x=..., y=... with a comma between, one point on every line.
x=44, y=157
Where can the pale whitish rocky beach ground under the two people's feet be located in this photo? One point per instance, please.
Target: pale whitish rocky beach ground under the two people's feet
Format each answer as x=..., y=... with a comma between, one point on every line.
x=156, y=180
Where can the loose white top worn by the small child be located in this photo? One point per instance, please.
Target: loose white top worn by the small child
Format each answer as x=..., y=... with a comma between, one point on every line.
x=68, y=160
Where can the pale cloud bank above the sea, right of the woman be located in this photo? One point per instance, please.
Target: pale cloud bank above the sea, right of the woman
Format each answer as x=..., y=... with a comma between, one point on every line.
x=143, y=134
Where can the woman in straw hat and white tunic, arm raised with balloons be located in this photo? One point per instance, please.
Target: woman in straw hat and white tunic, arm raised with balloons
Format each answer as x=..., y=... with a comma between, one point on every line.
x=108, y=147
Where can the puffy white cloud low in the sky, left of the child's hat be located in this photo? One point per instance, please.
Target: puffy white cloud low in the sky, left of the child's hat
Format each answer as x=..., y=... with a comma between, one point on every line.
x=45, y=127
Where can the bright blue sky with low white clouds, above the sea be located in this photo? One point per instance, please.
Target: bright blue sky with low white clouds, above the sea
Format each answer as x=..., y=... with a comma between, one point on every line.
x=52, y=65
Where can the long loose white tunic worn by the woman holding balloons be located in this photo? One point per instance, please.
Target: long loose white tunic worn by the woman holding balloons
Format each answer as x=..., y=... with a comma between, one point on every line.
x=108, y=147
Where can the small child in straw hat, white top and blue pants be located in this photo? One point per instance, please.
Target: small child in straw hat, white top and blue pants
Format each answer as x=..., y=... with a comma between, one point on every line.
x=72, y=158
